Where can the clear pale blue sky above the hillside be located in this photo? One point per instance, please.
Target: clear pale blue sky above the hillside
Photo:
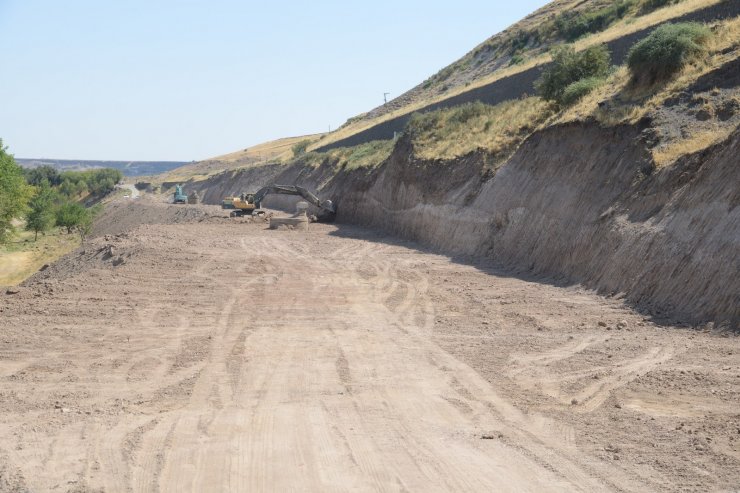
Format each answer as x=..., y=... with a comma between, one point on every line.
x=186, y=80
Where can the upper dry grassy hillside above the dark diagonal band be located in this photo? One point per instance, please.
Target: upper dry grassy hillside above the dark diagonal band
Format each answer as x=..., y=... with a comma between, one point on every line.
x=522, y=46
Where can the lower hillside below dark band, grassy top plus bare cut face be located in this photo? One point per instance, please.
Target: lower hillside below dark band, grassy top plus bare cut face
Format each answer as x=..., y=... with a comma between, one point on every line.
x=449, y=178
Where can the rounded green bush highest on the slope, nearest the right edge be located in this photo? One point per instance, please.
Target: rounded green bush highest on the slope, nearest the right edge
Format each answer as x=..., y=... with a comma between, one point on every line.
x=667, y=50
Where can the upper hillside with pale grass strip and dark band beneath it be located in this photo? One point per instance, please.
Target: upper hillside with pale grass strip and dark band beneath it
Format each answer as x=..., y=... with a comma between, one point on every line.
x=506, y=65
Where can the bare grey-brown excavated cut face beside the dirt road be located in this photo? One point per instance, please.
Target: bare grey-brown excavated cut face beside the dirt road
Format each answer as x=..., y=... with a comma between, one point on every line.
x=577, y=202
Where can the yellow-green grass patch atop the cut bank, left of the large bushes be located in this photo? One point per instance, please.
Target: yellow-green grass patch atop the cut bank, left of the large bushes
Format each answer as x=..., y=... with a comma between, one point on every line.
x=453, y=132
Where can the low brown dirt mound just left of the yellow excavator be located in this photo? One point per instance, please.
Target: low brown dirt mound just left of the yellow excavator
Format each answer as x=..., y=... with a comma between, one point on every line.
x=122, y=216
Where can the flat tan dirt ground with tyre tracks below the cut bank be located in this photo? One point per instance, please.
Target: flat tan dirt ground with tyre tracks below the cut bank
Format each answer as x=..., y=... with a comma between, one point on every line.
x=183, y=351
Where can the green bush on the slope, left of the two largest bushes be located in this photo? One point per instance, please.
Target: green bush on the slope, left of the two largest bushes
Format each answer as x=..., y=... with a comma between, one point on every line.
x=569, y=66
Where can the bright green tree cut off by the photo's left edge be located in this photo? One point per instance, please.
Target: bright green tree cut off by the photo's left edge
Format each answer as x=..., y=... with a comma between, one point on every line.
x=14, y=193
